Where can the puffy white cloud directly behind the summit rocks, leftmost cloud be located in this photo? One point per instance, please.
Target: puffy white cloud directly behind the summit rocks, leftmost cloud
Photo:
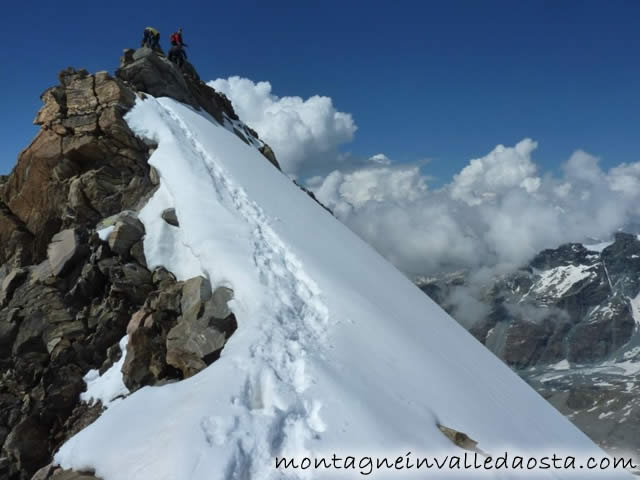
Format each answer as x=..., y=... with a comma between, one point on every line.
x=304, y=134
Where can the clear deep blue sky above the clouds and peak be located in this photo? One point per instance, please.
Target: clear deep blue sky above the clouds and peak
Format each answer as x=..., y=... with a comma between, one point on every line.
x=440, y=80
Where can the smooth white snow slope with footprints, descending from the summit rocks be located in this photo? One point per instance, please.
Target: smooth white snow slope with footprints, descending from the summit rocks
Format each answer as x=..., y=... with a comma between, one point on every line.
x=336, y=351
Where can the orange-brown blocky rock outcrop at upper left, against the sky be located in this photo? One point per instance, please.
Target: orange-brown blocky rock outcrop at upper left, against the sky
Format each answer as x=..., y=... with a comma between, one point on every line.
x=85, y=164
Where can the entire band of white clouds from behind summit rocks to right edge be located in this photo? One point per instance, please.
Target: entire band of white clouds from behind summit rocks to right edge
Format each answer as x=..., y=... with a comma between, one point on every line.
x=495, y=213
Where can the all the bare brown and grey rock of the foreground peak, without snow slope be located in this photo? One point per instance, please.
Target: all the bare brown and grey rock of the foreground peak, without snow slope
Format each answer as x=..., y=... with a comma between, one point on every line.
x=67, y=296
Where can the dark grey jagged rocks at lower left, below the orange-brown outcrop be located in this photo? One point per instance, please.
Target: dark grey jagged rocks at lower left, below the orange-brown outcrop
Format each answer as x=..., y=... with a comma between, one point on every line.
x=54, y=328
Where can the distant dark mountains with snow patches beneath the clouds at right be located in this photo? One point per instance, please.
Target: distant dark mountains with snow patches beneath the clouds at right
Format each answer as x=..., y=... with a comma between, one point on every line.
x=568, y=323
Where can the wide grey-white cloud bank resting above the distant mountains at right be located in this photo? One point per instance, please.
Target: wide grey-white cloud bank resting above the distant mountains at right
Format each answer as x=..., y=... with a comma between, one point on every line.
x=494, y=215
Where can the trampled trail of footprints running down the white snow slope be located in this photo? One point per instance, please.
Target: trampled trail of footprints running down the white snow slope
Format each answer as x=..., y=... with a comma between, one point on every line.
x=281, y=358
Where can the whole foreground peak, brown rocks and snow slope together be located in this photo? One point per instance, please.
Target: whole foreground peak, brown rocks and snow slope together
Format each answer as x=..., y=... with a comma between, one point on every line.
x=174, y=307
